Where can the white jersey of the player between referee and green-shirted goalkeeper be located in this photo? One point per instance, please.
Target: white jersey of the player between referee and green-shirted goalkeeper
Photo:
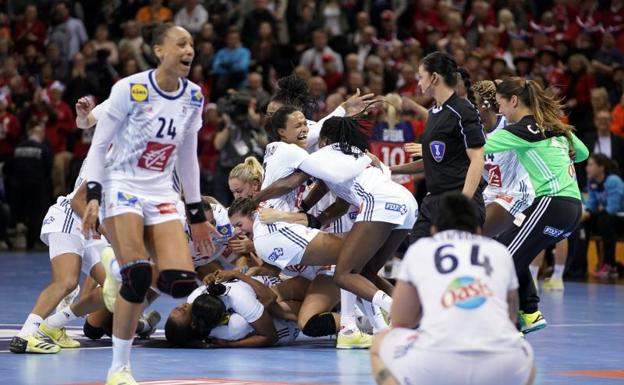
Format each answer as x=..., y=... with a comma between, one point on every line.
x=507, y=179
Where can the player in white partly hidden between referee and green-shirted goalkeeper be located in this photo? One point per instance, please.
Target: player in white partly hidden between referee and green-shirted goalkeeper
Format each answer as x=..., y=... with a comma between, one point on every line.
x=509, y=191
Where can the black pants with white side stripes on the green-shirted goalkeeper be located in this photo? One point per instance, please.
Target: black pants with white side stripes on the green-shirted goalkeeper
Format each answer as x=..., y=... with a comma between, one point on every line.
x=547, y=221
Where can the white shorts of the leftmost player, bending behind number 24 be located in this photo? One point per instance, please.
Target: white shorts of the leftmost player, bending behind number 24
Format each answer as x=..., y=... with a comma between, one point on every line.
x=61, y=219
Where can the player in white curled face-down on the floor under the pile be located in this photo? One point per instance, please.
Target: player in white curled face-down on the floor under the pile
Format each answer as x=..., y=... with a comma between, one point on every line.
x=227, y=293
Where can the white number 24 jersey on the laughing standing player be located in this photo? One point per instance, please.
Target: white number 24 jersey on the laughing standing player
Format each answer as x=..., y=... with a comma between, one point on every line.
x=154, y=124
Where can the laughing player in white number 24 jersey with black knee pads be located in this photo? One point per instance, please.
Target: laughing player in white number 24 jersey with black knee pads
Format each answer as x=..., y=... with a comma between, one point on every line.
x=151, y=121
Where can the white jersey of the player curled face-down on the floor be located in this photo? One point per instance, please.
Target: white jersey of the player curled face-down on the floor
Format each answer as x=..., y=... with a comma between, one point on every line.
x=239, y=298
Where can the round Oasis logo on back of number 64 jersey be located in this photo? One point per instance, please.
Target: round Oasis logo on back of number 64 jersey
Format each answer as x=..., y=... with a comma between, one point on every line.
x=466, y=293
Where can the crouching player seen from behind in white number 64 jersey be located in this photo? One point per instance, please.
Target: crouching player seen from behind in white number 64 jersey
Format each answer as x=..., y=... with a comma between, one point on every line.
x=455, y=305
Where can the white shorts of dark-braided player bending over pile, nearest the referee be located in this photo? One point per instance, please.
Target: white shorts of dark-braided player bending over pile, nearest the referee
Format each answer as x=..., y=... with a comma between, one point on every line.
x=390, y=203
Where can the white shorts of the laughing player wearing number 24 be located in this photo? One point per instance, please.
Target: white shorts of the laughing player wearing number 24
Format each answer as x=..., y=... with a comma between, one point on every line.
x=116, y=202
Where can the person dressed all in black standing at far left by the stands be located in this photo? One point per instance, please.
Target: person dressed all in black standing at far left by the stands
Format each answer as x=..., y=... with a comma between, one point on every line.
x=30, y=182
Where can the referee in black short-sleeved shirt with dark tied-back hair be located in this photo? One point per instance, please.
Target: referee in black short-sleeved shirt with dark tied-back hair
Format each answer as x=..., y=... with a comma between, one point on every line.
x=452, y=143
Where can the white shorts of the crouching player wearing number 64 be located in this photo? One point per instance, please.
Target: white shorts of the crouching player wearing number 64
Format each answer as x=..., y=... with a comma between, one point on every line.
x=410, y=364
